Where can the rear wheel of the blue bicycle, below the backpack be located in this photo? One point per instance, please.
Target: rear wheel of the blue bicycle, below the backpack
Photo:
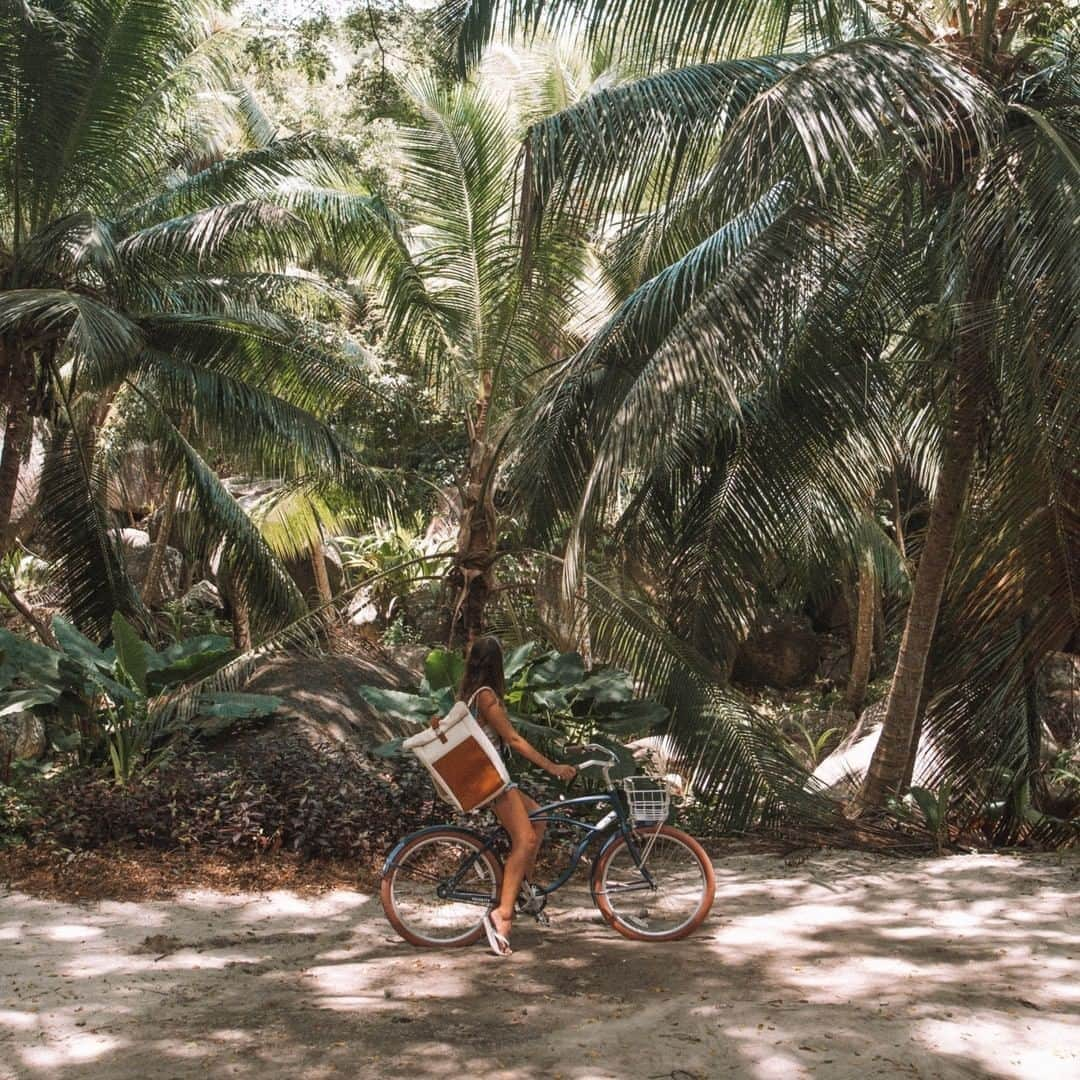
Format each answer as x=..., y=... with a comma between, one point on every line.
x=439, y=887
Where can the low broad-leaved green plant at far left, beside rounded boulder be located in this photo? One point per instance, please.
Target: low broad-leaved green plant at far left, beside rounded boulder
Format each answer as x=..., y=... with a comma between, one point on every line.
x=99, y=703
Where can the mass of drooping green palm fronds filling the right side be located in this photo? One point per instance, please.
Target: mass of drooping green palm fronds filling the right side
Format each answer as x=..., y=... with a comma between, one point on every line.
x=811, y=278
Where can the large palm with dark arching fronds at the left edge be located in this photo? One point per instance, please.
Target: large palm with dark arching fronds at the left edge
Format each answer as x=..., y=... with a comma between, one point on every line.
x=151, y=286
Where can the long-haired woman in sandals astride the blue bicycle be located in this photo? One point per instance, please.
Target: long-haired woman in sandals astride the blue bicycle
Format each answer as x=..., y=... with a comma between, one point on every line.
x=484, y=686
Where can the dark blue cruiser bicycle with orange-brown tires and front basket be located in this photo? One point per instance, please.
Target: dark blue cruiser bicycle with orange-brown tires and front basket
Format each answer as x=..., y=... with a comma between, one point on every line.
x=651, y=882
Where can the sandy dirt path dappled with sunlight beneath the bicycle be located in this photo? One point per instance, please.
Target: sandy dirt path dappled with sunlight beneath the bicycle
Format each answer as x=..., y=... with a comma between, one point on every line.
x=842, y=966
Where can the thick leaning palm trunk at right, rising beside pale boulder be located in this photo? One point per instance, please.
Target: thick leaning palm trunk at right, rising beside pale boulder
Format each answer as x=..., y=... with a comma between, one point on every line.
x=896, y=747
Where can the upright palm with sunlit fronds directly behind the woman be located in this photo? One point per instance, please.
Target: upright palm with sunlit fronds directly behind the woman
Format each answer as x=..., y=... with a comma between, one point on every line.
x=452, y=293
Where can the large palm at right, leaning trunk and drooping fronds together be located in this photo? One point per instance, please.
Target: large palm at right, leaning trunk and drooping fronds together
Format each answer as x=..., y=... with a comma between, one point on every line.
x=897, y=193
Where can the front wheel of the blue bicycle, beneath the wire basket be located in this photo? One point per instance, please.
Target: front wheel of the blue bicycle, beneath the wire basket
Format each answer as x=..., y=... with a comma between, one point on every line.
x=665, y=898
